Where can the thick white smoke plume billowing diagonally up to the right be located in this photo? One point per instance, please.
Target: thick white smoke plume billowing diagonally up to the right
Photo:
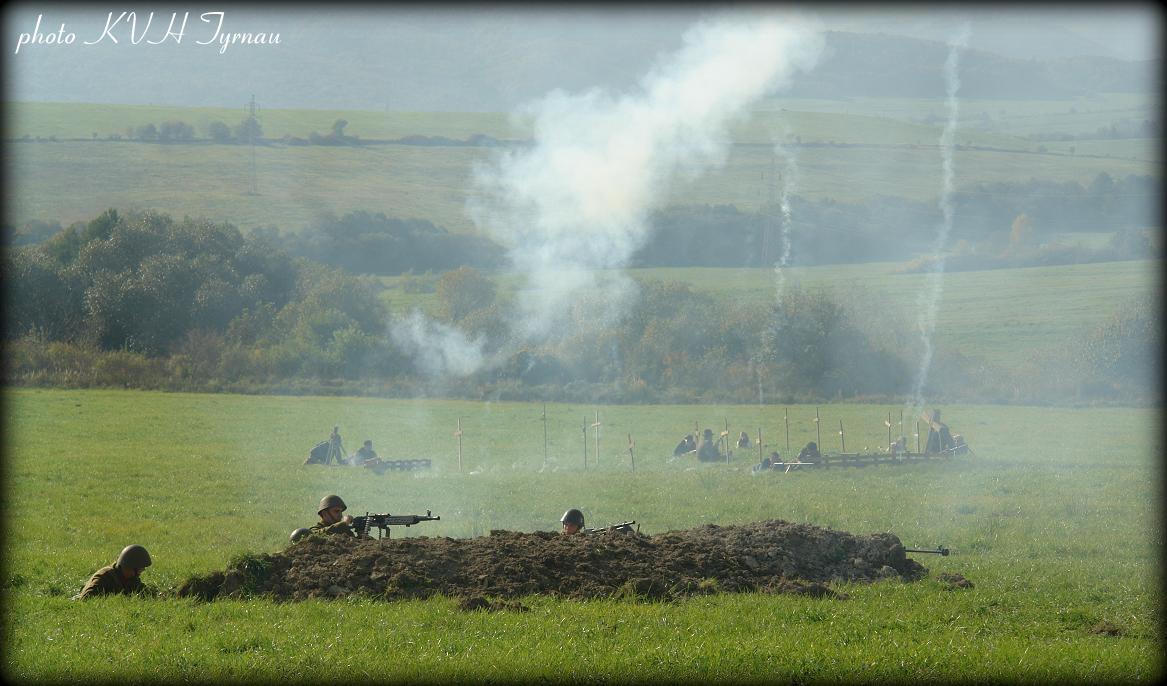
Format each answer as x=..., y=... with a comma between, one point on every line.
x=578, y=200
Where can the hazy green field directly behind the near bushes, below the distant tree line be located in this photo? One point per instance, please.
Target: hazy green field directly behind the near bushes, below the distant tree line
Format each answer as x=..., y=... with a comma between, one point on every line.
x=1001, y=317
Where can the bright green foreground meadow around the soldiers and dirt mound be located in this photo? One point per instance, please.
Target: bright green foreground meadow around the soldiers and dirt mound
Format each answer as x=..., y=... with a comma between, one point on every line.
x=1056, y=520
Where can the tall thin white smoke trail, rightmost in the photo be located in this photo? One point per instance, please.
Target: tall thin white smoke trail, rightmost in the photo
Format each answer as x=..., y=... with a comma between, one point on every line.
x=930, y=298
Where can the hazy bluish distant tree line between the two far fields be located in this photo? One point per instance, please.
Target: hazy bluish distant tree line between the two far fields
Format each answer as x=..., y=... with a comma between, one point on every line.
x=984, y=233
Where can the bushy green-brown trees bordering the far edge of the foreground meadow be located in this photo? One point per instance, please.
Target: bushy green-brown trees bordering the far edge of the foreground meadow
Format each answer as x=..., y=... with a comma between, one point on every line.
x=142, y=300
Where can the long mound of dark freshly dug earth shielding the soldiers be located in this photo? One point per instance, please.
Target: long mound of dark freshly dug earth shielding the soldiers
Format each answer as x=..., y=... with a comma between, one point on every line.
x=773, y=556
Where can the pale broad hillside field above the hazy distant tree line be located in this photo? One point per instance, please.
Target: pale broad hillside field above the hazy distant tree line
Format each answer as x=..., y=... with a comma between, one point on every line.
x=71, y=181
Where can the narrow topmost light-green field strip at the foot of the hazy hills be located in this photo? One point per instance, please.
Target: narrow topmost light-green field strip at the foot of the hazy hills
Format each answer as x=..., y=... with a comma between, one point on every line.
x=814, y=120
